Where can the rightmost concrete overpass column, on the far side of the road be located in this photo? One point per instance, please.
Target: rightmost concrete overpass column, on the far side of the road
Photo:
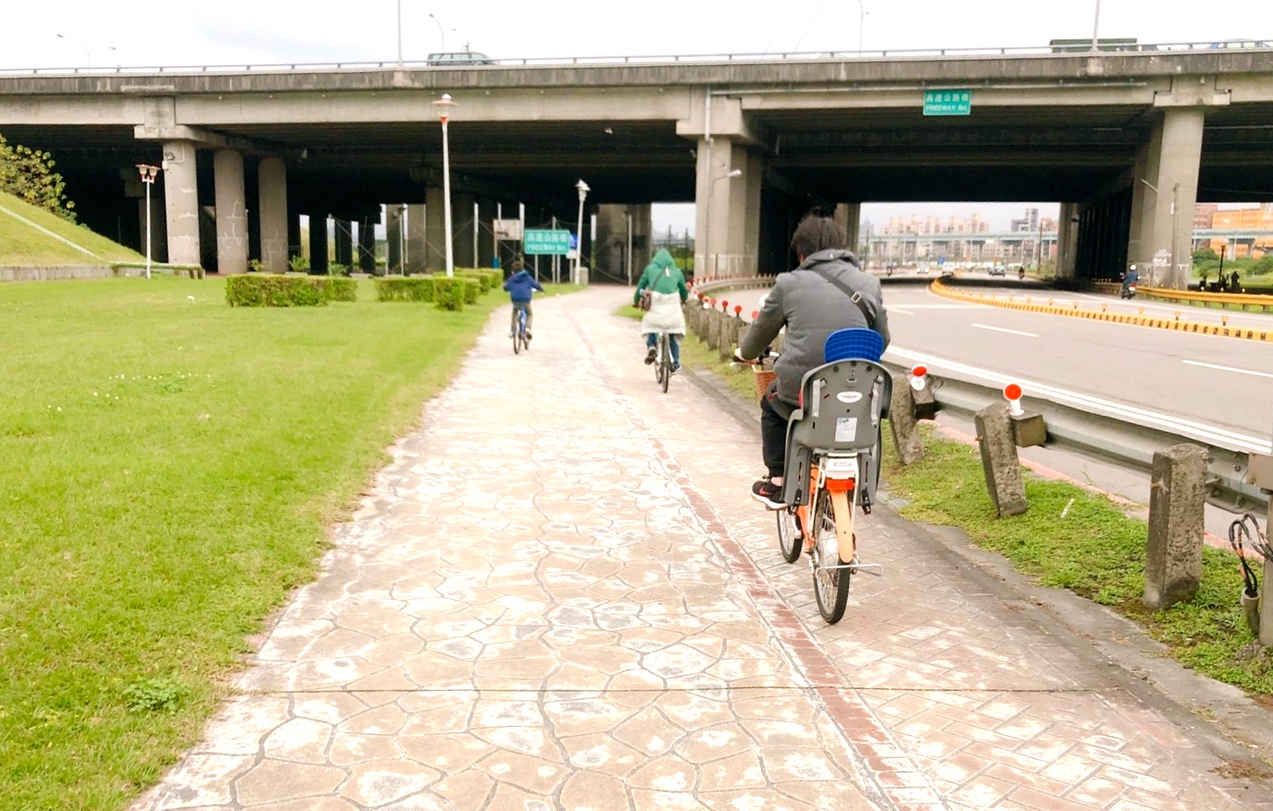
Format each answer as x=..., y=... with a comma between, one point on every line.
x=1167, y=189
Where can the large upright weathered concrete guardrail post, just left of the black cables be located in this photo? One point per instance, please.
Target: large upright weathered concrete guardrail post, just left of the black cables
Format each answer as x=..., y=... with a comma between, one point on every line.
x=1178, y=493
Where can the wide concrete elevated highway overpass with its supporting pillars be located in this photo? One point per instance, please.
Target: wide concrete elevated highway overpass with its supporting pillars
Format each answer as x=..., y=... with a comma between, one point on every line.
x=1127, y=142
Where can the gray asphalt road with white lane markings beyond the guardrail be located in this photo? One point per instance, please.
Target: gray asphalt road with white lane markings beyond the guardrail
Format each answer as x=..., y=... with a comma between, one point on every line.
x=1219, y=390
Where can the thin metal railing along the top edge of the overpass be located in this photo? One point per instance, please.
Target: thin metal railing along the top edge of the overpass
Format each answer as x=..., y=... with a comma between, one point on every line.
x=601, y=62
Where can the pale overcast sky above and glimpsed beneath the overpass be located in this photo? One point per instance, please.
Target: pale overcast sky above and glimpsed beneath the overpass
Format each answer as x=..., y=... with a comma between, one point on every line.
x=136, y=34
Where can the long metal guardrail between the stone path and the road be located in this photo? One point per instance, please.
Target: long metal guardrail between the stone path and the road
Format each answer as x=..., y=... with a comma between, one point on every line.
x=1121, y=441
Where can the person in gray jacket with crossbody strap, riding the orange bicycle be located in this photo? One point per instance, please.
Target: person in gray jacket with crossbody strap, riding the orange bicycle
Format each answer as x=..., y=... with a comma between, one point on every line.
x=812, y=302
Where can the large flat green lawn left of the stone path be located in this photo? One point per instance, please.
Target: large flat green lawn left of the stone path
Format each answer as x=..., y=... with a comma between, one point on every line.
x=167, y=472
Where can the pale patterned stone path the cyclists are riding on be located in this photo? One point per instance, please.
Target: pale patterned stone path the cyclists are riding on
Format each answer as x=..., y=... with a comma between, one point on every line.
x=559, y=596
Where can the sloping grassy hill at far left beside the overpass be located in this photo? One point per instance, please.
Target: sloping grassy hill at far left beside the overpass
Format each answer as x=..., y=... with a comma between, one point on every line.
x=22, y=244
